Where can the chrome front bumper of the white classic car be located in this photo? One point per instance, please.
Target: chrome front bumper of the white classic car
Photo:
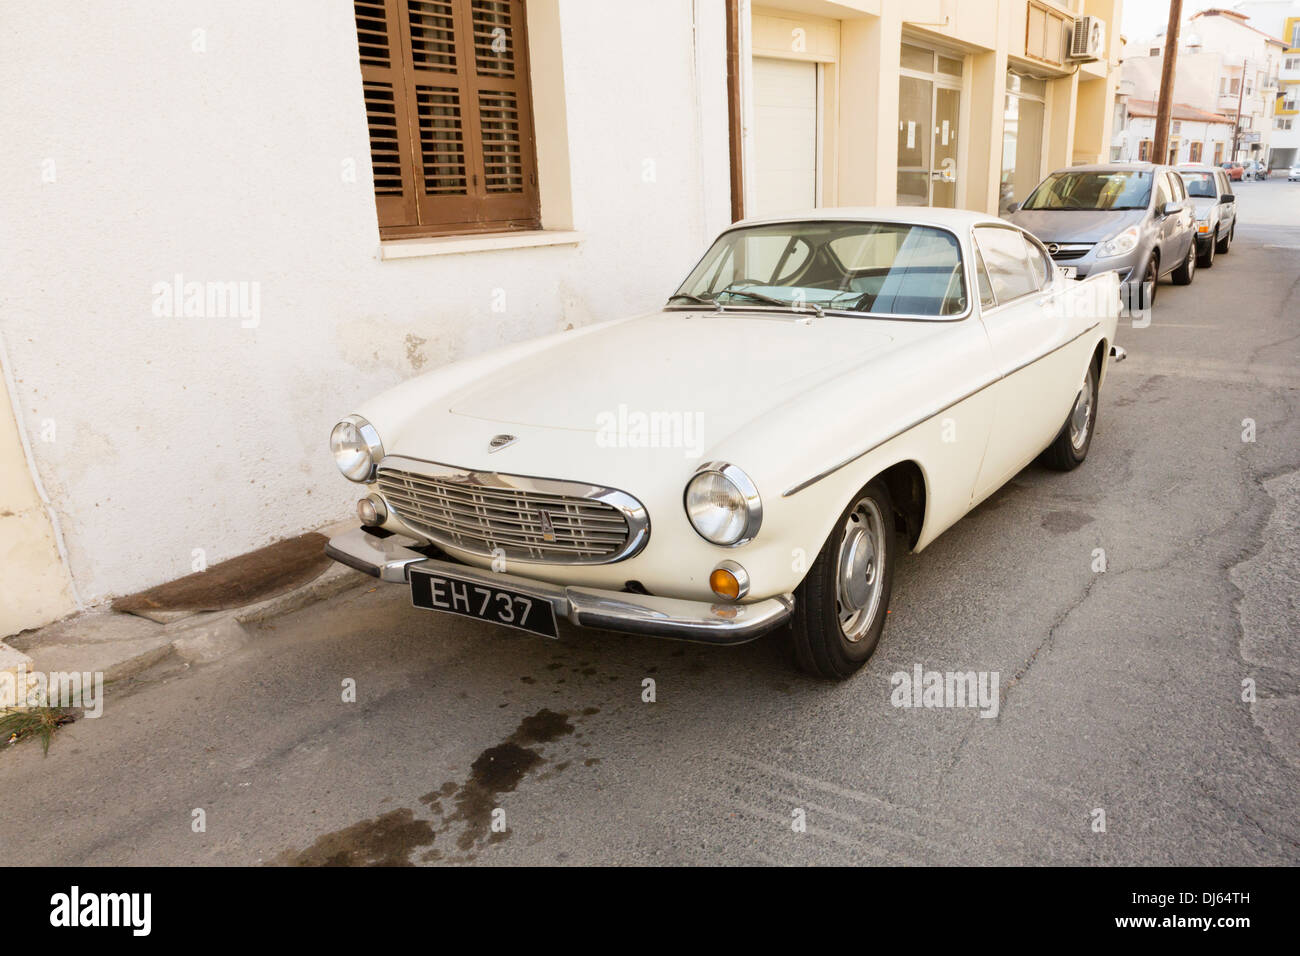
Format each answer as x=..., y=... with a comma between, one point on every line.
x=391, y=559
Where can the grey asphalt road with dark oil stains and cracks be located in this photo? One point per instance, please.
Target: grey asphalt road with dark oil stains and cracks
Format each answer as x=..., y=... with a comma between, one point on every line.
x=1121, y=691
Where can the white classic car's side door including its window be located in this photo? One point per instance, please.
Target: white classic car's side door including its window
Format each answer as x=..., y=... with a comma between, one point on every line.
x=1025, y=322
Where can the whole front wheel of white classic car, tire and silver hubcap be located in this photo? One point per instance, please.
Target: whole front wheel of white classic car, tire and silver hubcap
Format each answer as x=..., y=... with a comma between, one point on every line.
x=842, y=605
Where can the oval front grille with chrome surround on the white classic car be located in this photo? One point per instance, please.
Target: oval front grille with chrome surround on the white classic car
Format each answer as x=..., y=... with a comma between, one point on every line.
x=541, y=521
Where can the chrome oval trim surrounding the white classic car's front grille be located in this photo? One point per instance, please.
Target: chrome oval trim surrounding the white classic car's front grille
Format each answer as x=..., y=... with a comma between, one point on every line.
x=632, y=511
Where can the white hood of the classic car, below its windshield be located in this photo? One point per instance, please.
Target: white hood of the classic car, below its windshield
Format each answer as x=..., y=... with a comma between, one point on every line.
x=726, y=367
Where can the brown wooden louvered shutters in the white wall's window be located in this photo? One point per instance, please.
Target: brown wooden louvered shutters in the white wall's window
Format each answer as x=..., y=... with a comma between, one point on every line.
x=452, y=76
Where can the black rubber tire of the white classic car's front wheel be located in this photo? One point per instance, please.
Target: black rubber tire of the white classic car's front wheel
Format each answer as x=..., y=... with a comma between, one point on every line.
x=821, y=643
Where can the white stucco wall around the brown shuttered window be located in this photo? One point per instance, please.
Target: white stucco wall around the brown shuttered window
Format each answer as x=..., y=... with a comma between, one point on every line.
x=226, y=166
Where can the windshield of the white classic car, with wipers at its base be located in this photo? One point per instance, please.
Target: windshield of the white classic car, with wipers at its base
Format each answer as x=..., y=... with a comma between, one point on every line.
x=876, y=269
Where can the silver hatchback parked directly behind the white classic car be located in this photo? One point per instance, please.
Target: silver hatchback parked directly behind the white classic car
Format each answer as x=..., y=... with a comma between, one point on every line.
x=1130, y=218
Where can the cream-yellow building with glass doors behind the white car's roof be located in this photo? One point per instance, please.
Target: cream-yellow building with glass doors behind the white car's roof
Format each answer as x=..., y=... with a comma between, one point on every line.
x=960, y=103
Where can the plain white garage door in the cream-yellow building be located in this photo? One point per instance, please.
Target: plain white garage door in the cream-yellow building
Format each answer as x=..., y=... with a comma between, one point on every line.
x=785, y=165
